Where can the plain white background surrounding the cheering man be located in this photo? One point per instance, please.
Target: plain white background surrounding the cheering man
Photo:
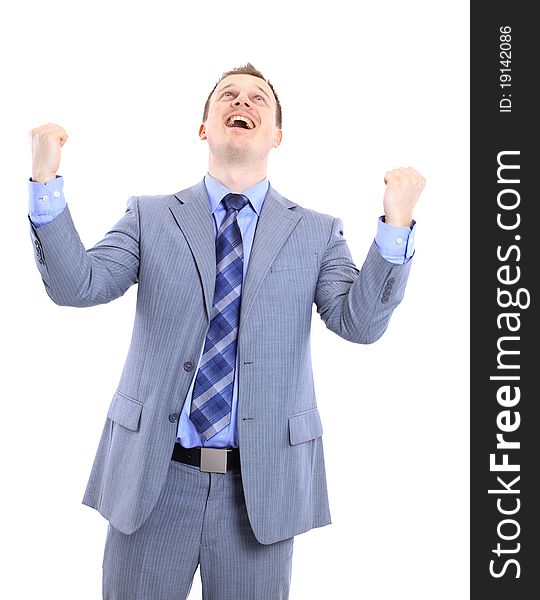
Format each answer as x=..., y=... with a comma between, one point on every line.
x=365, y=87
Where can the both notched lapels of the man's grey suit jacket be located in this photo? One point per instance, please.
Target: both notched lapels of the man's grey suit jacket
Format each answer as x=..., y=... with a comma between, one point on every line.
x=276, y=222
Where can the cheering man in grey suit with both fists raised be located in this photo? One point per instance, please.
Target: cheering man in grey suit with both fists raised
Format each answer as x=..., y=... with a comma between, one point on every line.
x=212, y=451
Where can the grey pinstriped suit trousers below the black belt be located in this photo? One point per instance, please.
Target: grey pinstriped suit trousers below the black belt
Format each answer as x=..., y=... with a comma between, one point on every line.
x=199, y=518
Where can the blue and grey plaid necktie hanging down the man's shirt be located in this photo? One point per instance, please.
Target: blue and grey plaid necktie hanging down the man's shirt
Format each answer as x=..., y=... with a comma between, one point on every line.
x=212, y=393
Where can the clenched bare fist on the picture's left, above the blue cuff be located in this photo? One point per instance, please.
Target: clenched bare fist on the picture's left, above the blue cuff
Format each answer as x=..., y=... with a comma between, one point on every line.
x=46, y=142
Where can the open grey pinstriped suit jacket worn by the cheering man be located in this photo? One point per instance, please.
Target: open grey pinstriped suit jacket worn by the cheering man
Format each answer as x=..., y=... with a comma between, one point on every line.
x=166, y=245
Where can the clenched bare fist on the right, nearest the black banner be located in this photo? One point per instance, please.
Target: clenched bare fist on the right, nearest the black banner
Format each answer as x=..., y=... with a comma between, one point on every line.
x=403, y=188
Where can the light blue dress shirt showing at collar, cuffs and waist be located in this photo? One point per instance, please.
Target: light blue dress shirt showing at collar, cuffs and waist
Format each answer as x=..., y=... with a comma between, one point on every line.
x=396, y=244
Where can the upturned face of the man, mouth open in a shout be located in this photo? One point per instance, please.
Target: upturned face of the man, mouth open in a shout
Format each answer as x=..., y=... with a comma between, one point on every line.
x=241, y=122
